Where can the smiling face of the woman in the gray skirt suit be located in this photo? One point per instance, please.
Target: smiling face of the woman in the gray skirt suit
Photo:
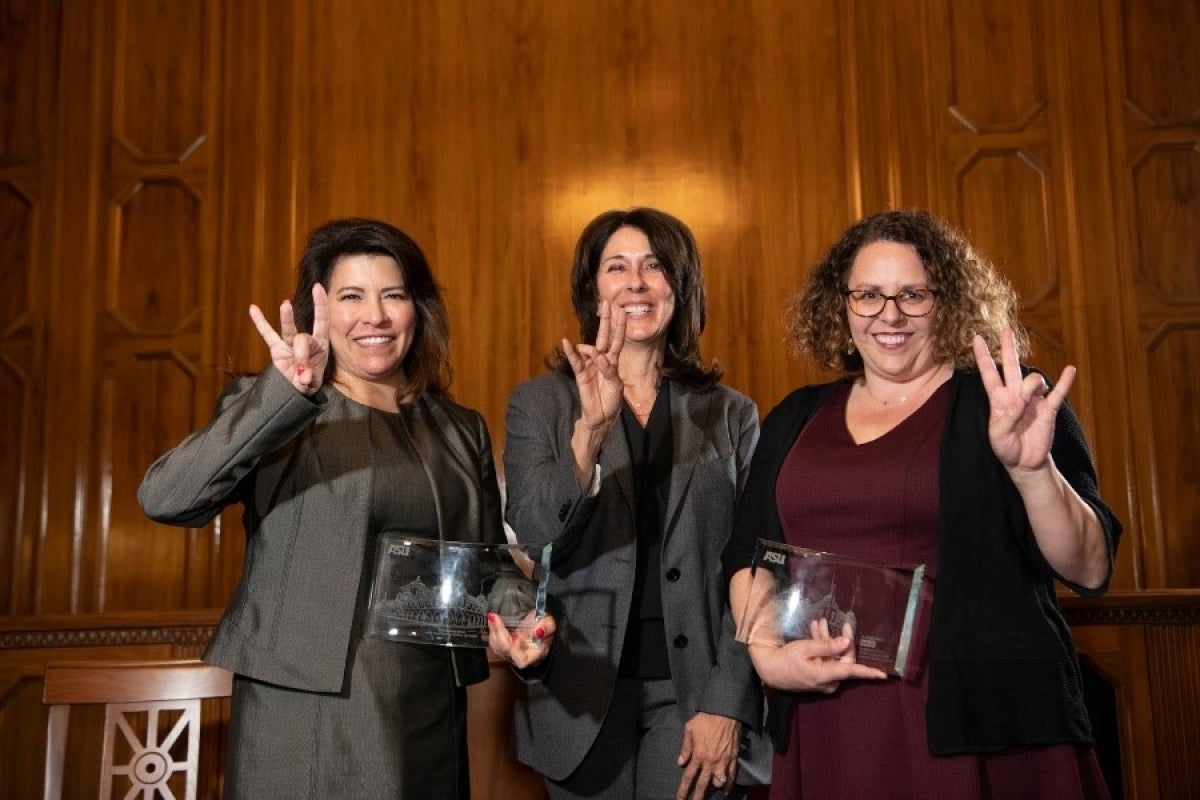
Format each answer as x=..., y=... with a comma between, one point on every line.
x=373, y=323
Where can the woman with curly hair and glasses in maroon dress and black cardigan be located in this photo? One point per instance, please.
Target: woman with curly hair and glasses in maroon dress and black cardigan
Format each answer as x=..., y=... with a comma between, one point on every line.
x=926, y=452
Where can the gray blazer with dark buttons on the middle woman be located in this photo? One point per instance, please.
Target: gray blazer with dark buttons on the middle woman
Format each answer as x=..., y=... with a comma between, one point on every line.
x=593, y=563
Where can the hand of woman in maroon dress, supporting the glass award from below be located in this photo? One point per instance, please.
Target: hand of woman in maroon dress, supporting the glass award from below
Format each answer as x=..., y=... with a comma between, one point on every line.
x=817, y=665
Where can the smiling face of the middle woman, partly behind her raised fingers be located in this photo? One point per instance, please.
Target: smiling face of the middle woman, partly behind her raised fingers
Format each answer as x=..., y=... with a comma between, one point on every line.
x=632, y=279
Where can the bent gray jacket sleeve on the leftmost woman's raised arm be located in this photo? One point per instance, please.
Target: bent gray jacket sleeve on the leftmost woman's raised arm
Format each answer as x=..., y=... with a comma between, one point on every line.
x=193, y=483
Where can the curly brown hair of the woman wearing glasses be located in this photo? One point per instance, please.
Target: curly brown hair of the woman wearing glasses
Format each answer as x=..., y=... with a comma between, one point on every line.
x=973, y=296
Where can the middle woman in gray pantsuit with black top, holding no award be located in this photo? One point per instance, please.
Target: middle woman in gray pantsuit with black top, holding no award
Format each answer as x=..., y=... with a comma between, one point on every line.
x=629, y=456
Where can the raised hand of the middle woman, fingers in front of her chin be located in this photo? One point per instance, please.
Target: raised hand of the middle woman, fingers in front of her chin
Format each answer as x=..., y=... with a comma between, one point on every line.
x=596, y=370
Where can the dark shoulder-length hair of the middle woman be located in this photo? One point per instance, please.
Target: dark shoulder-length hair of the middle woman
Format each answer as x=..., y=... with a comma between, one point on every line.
x=675, y=248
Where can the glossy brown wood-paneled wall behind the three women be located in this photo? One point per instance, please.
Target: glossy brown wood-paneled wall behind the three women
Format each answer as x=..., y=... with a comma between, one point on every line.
x=161, y=163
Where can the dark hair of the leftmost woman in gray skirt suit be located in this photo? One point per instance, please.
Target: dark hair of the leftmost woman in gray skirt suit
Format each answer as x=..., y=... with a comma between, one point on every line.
x=428, y=364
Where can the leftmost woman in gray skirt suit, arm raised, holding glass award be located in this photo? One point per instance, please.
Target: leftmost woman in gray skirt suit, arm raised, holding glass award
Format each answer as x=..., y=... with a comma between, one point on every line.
x=349, y=436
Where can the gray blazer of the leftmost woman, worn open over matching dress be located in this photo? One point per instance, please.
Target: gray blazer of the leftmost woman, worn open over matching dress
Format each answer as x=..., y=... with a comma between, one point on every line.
x=303, y=471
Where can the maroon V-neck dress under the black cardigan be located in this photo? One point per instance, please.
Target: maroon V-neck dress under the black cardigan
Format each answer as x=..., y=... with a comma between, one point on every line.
x=878, y=502
